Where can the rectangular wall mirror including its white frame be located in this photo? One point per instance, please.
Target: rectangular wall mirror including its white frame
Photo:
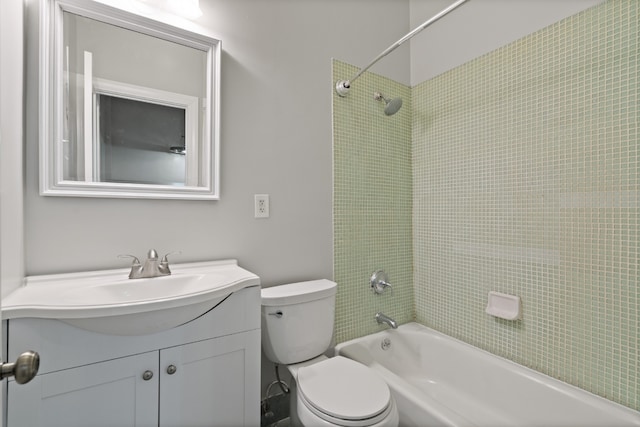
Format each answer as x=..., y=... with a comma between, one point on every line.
x=128, y=105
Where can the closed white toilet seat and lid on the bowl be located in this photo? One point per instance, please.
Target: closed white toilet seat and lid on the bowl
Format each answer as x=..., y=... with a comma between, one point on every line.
x=344, y=392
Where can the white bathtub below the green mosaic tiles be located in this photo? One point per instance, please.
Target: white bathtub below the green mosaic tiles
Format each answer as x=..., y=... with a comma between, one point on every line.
x=440, y=381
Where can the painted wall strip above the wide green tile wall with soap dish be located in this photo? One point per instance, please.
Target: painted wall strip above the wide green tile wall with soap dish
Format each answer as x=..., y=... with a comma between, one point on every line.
x=478, y=27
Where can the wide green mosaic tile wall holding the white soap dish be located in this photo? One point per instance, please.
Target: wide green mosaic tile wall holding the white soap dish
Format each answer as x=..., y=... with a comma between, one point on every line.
x=526, y=180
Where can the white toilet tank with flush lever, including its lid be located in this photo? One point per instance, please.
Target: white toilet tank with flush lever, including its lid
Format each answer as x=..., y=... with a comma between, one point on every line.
x=297, y=320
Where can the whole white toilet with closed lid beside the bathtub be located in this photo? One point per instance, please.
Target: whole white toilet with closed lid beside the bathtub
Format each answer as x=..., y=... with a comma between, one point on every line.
x=297, y=327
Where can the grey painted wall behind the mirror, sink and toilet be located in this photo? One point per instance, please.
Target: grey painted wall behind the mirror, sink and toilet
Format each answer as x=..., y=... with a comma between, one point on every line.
x=276, y=138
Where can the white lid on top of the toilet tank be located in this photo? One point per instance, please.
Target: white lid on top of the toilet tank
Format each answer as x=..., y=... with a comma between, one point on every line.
x=294, y=293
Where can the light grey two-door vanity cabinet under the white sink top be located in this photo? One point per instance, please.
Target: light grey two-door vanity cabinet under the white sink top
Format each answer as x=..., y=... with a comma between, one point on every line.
x=203, y=373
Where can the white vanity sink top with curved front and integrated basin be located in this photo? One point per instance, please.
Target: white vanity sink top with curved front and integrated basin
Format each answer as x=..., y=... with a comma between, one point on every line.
x=109, y=302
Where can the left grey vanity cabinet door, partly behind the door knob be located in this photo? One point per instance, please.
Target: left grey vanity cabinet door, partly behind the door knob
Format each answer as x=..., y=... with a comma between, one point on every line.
x=105, y=394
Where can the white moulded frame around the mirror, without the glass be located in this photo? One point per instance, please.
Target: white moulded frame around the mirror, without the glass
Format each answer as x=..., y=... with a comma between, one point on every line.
x=51, y=105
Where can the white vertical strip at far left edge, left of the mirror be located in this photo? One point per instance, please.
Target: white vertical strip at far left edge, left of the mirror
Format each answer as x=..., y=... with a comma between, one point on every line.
x=11, y=147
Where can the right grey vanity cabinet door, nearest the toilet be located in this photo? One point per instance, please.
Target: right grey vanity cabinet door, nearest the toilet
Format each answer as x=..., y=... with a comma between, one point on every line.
x=216, y=382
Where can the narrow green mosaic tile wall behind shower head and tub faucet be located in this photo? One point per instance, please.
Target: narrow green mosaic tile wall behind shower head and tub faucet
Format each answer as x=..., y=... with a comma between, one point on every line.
x=372, y=204
